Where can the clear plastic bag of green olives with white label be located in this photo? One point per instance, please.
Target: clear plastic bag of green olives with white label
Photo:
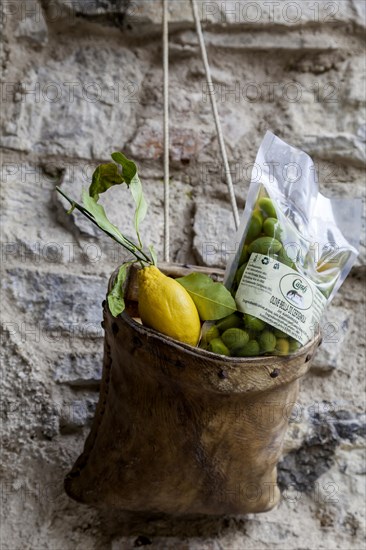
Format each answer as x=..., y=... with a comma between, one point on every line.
x=296, y=248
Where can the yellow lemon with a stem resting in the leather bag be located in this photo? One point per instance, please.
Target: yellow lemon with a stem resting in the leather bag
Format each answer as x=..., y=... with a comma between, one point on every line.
x=167, y=307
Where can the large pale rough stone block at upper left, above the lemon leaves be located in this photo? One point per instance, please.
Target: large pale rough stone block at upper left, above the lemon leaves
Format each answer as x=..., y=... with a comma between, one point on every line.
x=70, y=106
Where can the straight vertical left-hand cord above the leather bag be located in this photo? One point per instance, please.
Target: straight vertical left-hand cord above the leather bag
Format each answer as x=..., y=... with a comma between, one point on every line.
x=166, y=129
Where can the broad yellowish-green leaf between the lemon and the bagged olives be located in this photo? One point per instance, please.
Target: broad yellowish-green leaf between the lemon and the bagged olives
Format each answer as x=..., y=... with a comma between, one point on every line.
x=213, y=300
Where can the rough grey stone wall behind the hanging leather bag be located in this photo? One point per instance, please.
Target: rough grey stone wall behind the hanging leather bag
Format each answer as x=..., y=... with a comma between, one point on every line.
x=84, y=78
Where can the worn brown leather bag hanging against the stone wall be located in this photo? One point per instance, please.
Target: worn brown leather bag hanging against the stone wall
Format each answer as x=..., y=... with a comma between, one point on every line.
x=179, y=430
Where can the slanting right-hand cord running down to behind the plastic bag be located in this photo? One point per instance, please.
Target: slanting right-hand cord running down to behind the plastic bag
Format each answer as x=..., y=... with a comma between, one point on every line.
x=215, y=114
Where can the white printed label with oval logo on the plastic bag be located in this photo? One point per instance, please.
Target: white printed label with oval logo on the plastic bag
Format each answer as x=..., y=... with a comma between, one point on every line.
x=280, y=296
